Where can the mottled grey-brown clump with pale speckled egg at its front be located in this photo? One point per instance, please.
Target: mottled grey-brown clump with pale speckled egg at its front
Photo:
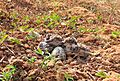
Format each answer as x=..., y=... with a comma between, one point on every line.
x=62, y=47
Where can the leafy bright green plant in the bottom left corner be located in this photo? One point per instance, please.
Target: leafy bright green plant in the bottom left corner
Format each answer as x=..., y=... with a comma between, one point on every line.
x=7, y=75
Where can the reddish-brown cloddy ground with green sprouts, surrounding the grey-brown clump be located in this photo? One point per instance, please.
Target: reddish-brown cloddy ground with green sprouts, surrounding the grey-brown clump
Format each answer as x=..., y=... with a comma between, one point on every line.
x=24, y=24
